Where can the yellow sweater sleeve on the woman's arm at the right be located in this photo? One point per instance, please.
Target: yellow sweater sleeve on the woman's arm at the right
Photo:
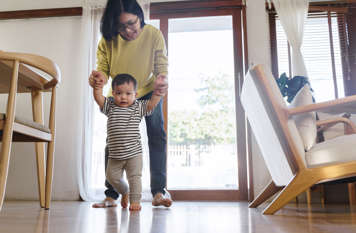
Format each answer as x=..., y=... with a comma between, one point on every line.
x=160, y=56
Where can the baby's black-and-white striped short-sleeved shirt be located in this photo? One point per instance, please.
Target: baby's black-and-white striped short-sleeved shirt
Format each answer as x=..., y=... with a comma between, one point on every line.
x=124, y=139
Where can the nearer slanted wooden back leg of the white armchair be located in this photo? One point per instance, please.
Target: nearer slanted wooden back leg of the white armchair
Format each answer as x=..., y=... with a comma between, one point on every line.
x=299, y=184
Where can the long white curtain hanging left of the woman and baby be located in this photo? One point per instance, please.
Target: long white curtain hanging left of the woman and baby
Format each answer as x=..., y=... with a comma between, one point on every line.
x=90, y=35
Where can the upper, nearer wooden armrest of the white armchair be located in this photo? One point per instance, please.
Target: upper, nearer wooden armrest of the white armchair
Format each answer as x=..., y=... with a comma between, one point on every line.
x=347, y=104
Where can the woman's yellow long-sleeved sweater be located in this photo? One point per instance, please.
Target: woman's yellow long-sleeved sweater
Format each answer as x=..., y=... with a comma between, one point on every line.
x=143, y=58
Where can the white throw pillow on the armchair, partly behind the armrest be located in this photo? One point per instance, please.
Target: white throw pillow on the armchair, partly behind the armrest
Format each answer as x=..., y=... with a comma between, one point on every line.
x=306, y=123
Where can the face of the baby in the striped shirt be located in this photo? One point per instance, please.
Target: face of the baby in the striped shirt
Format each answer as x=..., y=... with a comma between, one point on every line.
x=124, y=94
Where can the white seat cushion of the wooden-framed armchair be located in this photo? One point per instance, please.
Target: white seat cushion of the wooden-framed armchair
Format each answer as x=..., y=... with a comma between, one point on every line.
x=337, y=150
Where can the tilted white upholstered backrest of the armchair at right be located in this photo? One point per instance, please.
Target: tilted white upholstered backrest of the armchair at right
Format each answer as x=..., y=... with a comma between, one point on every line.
x=276, y=135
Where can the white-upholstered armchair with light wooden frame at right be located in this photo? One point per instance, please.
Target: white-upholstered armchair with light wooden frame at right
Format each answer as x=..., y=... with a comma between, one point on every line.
x=292, y=169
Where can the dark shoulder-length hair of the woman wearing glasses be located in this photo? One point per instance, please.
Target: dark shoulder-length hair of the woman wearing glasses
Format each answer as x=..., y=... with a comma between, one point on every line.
x=110, y=20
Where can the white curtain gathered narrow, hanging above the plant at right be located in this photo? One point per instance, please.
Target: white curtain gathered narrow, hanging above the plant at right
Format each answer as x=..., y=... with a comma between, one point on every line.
x=292, y=15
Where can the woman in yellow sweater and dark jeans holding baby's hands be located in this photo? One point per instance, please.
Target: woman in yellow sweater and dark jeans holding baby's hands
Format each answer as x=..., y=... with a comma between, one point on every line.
x=131, y=46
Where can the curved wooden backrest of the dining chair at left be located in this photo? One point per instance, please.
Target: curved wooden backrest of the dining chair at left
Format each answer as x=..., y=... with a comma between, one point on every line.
x=31, y=79
